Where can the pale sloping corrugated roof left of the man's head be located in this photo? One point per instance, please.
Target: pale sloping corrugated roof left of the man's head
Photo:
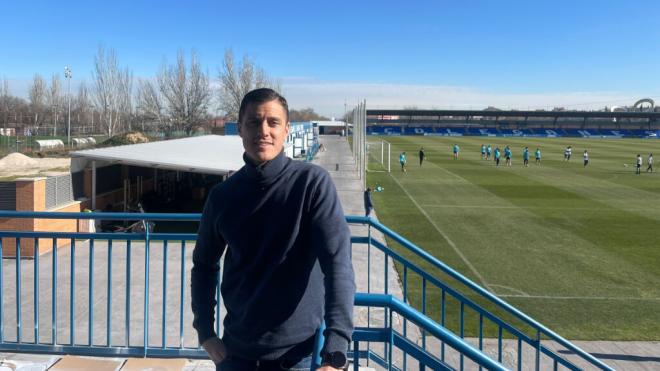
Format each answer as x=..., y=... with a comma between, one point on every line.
x=209, y=154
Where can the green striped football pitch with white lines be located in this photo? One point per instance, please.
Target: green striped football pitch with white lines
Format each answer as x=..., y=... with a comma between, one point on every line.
x=577, y=248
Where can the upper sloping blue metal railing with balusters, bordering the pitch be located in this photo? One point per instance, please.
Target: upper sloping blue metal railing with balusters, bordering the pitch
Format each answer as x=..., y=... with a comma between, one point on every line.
x=485, y=307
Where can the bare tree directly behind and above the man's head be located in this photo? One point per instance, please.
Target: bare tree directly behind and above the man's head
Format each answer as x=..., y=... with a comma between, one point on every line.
x=237, y=79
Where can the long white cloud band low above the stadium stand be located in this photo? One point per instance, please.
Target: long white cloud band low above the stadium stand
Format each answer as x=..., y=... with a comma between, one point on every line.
x=328, y=98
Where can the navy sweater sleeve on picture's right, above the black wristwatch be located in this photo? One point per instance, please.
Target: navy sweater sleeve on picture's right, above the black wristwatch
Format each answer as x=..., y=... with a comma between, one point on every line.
x=331, y=236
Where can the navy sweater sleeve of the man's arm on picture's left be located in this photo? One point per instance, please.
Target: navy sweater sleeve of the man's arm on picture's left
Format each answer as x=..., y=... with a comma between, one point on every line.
x=204, y=275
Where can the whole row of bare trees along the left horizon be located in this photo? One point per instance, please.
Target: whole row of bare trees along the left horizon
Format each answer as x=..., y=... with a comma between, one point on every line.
x=178, y=98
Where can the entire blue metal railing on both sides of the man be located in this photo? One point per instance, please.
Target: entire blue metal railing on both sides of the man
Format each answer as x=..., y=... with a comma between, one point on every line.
x=147, y=326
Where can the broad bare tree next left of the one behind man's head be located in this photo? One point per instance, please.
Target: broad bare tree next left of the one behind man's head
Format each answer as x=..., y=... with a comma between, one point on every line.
x=186, y=92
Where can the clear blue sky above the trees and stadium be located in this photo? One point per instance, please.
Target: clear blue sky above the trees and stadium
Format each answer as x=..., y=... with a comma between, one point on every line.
x=460, y=54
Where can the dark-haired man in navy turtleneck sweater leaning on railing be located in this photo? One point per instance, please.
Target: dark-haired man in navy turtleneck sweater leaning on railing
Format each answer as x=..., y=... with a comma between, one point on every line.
x=287, y=265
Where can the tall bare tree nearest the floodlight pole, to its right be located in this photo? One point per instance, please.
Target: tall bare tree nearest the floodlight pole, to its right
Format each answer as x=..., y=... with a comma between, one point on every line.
x=112, y=90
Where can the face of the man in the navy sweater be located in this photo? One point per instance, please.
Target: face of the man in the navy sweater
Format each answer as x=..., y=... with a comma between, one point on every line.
x=263, y=129
